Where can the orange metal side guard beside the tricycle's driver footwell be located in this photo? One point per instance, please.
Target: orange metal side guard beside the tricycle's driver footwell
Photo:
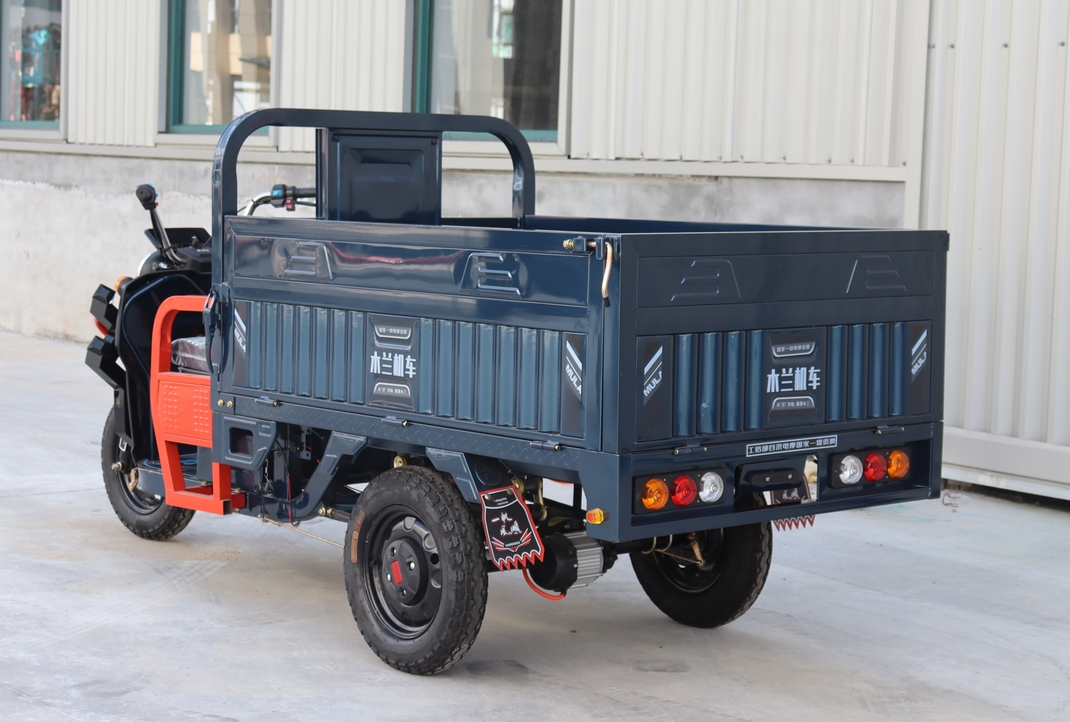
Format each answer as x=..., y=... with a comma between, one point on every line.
x=182, y=414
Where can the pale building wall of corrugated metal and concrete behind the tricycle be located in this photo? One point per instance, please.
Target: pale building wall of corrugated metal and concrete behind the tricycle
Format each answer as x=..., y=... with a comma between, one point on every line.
x=945, y=114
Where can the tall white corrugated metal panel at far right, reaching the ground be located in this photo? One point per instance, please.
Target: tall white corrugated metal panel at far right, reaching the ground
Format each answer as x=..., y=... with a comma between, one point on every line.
x=998, y=177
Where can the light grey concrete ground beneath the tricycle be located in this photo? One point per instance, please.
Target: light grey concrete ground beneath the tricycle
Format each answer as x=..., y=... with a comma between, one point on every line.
x=956, y=610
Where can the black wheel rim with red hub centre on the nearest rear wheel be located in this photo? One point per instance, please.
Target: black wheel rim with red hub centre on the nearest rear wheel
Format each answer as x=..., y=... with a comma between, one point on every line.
x=403, y=573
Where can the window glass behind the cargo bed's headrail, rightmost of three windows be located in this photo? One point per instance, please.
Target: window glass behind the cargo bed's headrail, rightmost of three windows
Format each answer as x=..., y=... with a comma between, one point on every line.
x=498, y=58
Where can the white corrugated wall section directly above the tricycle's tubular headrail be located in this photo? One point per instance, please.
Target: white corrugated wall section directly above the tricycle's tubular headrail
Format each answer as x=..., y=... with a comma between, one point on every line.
x=345, y=55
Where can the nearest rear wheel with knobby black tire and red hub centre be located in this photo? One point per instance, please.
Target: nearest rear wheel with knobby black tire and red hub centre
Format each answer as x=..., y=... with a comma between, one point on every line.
x=414, y=521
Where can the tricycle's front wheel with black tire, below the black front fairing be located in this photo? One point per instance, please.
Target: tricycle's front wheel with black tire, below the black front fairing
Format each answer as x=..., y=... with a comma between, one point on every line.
x=145, y=515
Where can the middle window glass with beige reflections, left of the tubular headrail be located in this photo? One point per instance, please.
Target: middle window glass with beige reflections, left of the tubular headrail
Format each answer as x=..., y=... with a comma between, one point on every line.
x=221, y=60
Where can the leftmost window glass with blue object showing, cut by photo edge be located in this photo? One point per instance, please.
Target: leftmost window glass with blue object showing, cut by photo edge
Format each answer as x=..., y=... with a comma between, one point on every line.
x=32, y=35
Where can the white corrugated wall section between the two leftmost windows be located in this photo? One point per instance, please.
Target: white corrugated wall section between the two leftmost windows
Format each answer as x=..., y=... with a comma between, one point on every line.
x=113, y=83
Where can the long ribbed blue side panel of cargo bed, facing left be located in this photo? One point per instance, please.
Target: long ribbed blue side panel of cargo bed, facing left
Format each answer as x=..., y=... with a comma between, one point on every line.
x=482, y=373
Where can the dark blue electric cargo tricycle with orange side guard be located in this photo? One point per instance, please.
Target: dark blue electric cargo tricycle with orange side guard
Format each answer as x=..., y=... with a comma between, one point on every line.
x=424, y=379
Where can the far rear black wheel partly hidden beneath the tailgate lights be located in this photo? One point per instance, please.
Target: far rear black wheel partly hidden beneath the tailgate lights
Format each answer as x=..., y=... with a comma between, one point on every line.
x=738, y=562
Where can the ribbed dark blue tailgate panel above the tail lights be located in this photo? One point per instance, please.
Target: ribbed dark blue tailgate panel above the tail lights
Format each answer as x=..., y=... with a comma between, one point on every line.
x=881, y=370
